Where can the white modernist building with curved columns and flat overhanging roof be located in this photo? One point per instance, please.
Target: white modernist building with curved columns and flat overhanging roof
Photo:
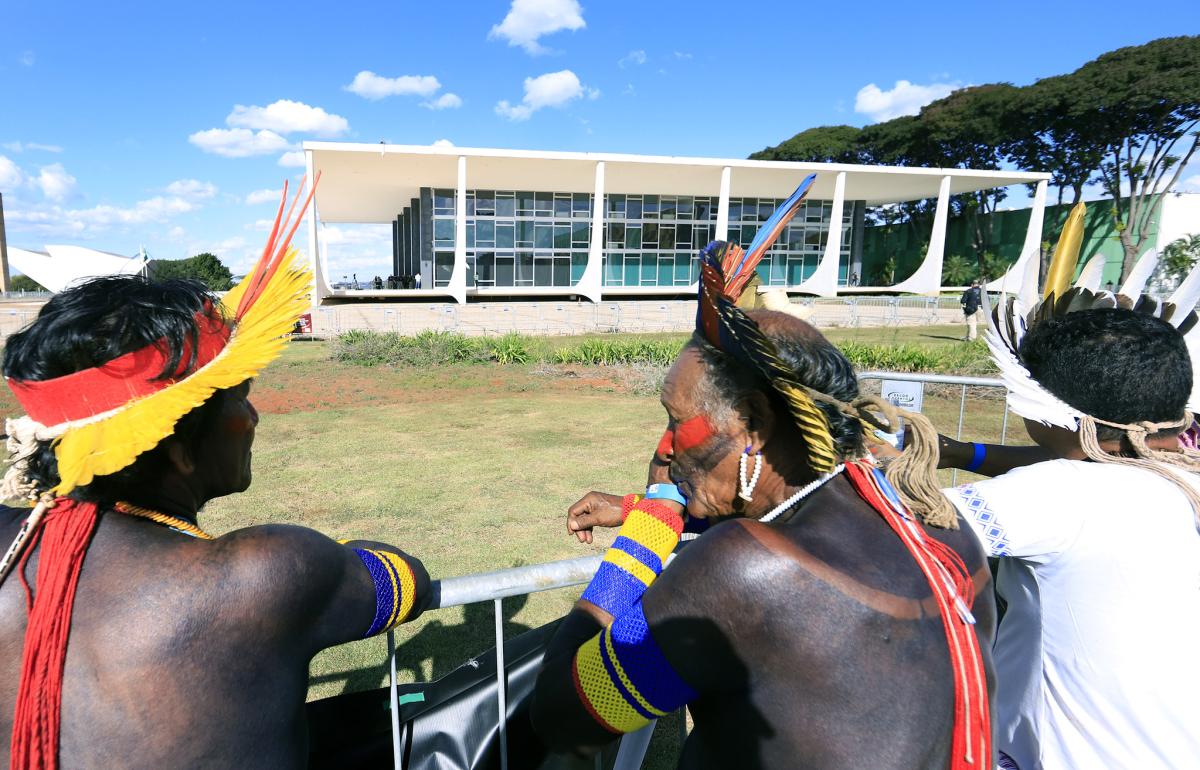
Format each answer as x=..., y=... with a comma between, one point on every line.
x=483, y=224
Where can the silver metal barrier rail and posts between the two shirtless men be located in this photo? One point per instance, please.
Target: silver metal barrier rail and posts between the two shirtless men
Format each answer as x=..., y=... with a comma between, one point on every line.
x=496, y=587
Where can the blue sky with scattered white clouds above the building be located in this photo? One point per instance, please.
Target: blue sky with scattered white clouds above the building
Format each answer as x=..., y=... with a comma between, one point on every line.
x=161, y=124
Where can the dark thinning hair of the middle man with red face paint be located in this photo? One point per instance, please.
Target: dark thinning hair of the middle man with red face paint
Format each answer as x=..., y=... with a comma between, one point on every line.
x=815, y=362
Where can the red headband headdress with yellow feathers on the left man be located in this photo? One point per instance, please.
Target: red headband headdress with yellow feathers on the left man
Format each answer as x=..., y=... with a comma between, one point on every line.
x=94, y=437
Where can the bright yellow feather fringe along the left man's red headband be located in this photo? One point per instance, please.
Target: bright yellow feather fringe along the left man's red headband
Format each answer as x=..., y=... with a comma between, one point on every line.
x=109, y=446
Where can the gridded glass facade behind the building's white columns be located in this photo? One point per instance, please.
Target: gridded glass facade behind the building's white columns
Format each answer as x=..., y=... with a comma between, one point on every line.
x=542, y=239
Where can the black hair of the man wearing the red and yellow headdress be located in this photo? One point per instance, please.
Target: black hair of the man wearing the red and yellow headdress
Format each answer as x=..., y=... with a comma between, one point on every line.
x=94, y=323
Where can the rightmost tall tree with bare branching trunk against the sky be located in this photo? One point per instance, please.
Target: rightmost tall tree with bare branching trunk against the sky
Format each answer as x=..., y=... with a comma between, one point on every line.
x=1147, y=104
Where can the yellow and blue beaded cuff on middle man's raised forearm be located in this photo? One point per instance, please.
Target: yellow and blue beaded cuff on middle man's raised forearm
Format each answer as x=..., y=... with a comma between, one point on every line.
x=647, y=538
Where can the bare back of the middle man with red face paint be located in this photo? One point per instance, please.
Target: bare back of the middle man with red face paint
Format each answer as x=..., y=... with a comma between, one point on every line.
x=813, y=642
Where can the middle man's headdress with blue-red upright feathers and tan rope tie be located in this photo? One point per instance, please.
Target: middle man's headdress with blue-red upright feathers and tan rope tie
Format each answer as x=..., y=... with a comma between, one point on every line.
x=725, y=272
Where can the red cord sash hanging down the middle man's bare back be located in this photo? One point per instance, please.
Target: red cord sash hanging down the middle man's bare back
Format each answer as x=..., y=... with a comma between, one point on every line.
x=953, y=592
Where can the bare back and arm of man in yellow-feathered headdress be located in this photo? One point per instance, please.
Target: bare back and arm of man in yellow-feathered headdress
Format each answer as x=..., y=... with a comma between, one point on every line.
x=184, y=652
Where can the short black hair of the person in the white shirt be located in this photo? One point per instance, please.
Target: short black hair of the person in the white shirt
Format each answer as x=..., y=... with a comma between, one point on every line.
x=1115, y=365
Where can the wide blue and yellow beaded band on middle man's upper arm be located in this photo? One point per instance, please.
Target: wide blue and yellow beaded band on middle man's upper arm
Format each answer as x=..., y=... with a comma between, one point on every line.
x=623, y=679
